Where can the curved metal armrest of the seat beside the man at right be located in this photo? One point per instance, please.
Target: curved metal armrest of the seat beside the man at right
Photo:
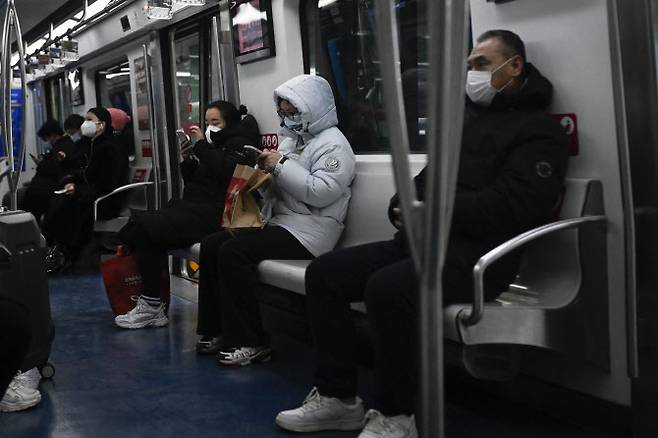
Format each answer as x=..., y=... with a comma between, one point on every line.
x=477, y=310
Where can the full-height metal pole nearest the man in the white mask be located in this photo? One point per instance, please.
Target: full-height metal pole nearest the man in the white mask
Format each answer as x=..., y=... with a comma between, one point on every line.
x=448, y=45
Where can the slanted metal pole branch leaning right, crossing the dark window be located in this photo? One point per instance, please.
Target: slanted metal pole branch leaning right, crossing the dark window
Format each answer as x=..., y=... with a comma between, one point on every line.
x=387, y=36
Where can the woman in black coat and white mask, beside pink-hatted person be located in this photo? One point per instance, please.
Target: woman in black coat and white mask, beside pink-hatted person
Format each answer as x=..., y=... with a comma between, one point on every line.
x=69, y=223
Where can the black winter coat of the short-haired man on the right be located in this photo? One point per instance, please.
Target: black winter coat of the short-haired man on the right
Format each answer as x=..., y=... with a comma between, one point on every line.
x=511, y=174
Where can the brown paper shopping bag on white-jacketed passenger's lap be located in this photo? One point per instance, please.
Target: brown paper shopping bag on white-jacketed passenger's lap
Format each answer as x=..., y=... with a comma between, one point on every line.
x=240, y=207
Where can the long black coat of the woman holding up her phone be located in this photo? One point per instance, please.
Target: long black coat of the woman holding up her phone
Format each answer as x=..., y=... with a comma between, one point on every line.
x=183, y=222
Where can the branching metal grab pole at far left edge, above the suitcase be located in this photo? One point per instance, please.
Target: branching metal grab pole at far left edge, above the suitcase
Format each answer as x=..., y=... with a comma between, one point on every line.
x=11, y=22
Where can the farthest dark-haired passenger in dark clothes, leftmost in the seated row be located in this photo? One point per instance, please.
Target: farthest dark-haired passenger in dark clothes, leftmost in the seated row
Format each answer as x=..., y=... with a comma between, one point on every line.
x=50, y=169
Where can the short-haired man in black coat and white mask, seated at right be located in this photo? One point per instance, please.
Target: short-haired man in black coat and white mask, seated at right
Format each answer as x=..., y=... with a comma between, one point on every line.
x=511, y=173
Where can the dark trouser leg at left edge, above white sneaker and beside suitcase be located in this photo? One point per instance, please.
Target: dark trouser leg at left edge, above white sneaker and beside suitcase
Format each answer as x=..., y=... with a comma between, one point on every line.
x=15, y=335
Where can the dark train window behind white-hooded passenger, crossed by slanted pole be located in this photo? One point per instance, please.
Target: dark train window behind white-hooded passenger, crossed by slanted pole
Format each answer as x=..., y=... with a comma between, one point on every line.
x=340, y=45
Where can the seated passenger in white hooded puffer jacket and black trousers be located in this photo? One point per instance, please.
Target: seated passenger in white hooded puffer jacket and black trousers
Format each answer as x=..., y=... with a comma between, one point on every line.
x=307, y=201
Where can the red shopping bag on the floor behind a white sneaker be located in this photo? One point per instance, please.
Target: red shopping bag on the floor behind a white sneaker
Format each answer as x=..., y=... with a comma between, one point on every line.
x=123, y=282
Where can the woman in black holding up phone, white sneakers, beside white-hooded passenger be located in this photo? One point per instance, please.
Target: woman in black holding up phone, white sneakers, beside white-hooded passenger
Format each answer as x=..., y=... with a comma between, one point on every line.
x=207, y=170
